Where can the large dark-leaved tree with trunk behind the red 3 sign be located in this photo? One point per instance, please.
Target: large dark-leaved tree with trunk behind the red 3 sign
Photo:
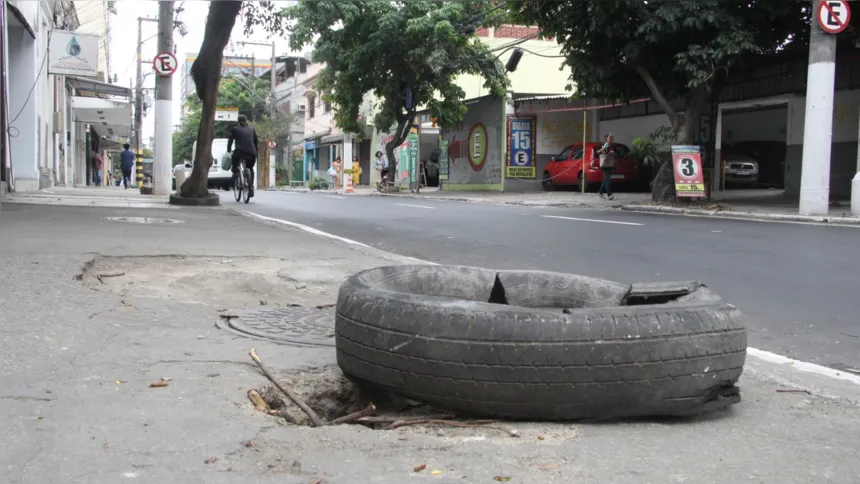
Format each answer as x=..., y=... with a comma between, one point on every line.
x=669, y=50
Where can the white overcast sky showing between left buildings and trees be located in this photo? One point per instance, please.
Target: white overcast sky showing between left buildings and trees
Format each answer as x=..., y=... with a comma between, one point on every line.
x=124, y=46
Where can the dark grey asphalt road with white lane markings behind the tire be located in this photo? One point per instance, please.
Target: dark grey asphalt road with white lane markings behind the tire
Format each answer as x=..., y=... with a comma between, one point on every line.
x=798, y=284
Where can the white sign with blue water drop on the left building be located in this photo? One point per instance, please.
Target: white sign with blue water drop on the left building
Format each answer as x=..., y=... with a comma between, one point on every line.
x=73, y=54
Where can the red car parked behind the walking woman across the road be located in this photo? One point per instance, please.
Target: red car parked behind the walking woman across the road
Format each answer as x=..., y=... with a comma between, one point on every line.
x=566, y=168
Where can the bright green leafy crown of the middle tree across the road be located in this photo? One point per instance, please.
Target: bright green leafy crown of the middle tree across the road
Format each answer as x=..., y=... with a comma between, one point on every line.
x=386, y=48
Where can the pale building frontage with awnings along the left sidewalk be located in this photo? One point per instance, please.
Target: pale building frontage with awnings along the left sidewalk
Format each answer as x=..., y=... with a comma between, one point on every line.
x=57, y=54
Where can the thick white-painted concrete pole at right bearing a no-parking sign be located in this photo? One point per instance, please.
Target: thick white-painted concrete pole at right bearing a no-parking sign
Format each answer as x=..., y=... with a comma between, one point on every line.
x=817, y=128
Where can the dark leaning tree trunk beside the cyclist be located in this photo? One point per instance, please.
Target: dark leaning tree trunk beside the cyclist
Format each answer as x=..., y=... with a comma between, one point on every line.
x=206, y=72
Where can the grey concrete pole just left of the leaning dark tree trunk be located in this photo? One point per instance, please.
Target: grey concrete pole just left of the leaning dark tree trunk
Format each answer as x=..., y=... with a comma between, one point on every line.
x=162, y=163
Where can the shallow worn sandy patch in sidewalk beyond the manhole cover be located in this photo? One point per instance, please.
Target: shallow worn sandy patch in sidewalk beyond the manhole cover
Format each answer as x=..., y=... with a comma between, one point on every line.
x=222, y=282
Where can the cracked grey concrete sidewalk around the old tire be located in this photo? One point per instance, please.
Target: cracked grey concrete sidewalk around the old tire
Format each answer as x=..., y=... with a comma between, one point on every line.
x=79, y=356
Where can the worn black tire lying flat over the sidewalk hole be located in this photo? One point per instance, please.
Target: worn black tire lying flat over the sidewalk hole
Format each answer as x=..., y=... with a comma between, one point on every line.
x=551, y=347
